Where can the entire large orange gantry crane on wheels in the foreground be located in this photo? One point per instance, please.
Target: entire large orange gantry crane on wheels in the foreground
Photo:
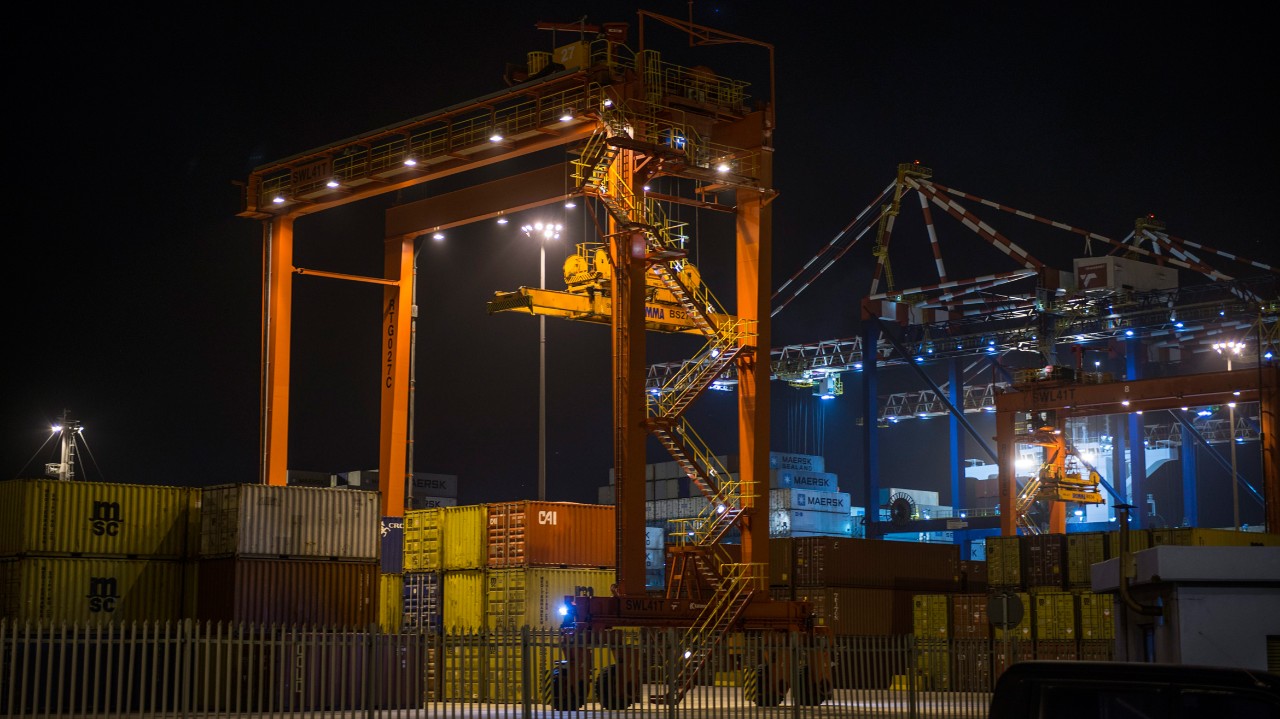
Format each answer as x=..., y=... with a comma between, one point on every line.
x=630, y=118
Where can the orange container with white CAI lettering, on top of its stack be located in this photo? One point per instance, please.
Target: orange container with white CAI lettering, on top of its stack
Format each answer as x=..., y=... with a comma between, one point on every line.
x=551, y=534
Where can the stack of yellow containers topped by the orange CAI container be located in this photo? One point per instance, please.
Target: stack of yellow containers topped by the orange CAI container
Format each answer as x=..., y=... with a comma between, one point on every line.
x=496, y=569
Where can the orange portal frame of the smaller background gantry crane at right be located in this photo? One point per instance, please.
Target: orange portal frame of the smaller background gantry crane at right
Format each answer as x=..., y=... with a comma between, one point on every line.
x=1163, y=393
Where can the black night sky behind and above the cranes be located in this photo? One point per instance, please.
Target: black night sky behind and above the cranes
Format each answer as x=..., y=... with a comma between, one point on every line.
x=134, y=291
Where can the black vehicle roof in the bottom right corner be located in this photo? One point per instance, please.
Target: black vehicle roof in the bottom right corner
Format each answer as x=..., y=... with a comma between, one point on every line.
x=1133, y=690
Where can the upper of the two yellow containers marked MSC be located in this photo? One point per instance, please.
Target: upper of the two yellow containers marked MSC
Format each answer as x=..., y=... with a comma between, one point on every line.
x=52, y=518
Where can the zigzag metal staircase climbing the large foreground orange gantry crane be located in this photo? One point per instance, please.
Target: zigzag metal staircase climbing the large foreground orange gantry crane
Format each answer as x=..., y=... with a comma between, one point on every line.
x=730, y=585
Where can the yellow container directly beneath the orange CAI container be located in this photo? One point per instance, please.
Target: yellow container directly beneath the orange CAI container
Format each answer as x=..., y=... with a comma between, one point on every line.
x=533, y=597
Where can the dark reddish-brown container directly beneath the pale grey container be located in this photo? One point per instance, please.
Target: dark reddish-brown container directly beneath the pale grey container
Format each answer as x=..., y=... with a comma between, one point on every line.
x=289, y=592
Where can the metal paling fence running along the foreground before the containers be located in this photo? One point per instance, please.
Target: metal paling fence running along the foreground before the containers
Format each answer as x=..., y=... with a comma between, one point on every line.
x=207, y=670
